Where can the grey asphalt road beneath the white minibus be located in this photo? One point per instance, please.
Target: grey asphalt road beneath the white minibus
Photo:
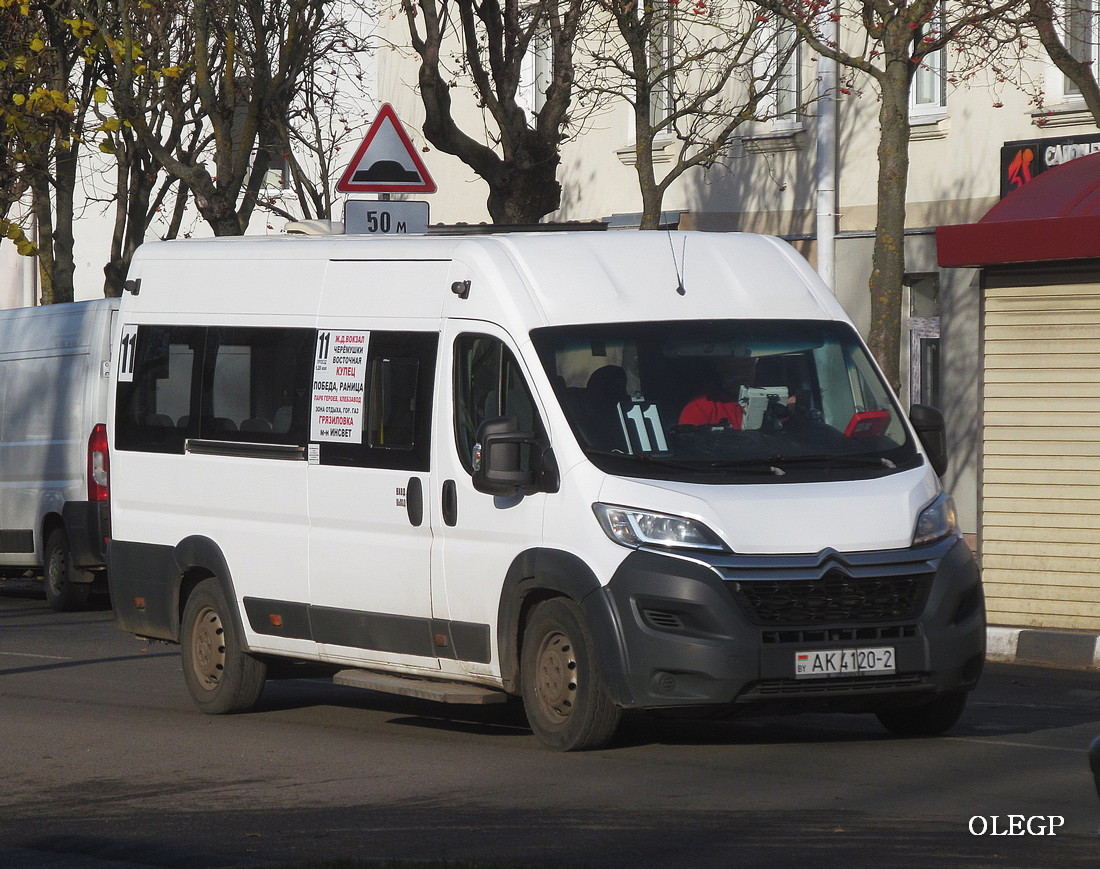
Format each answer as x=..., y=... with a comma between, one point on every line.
x=105, y=763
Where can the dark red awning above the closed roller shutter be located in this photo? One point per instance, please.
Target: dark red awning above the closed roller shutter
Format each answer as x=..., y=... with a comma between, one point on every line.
x=1054, y=217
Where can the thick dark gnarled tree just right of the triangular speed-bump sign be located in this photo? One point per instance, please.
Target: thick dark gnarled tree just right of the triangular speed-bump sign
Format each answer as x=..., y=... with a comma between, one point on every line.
x=520, y=153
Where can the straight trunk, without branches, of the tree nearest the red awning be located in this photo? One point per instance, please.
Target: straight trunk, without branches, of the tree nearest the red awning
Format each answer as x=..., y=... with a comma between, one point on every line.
x=888, y=261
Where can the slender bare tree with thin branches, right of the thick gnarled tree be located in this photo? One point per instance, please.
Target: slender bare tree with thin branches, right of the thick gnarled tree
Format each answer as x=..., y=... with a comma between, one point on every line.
x=692, y=73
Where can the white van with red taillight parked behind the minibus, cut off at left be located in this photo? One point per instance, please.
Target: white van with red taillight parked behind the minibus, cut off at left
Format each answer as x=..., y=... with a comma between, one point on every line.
x=54, y=381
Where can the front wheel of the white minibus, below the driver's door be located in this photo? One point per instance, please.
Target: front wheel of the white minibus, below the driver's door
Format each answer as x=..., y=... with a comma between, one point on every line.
x=568, y=706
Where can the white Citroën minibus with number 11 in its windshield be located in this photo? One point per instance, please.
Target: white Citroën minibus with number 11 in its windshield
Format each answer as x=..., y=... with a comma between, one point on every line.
x=467, y=468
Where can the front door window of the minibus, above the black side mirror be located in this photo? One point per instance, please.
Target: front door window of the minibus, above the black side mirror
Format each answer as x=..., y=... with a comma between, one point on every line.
x=488, y=383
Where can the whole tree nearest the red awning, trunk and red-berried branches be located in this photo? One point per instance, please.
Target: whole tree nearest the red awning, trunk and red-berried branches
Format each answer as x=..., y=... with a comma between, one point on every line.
x=887, y=41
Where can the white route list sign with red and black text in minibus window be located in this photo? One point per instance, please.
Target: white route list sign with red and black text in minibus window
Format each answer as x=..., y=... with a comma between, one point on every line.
x=339, y=384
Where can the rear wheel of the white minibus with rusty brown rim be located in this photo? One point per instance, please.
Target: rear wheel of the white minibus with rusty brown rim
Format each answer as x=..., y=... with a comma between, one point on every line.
x=222, y=677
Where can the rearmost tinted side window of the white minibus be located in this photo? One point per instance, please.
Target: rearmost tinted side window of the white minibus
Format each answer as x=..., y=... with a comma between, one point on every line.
x=157, y=412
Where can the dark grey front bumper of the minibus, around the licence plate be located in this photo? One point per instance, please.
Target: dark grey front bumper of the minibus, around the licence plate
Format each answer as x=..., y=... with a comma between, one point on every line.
x=725, y=631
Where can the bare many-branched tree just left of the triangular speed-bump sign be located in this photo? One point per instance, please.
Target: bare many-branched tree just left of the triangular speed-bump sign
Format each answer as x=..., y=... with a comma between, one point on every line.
x=233, y=69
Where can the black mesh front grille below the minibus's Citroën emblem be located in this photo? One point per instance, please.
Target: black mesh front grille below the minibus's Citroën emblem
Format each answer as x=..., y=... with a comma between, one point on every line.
x=833, y=599
